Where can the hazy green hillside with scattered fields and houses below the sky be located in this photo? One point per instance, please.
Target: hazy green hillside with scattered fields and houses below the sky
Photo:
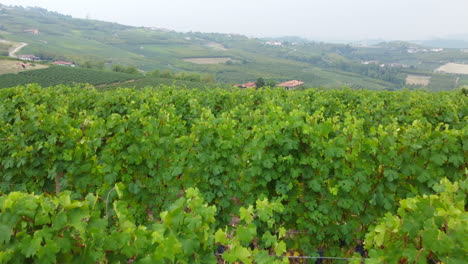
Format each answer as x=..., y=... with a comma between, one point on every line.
x=231, y=58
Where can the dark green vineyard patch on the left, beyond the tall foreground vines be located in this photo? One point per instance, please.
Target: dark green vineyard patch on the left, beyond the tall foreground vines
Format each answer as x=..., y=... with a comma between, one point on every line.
x=64, y=75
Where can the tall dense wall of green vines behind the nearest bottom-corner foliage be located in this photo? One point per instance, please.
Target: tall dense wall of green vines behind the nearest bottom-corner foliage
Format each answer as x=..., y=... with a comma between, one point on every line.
x=342, y=158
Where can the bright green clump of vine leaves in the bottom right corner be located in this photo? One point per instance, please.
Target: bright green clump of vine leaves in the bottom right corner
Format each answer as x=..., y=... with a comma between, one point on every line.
x=426, y=229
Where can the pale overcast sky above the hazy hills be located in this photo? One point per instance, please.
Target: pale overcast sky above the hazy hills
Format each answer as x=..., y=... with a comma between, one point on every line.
x=315, y=19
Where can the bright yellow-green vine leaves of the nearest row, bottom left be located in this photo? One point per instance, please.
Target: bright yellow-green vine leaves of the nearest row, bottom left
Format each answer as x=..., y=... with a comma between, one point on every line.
x=44, y=229
